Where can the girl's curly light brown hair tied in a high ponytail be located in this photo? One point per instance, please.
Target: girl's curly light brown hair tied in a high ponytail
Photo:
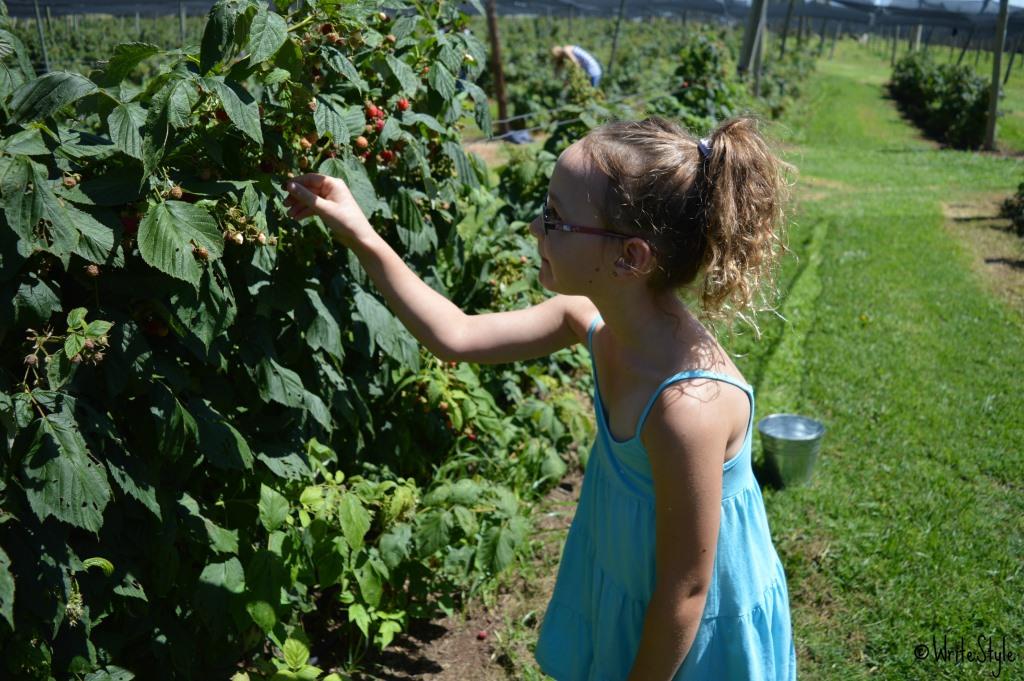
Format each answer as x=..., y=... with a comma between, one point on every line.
x=722, y=217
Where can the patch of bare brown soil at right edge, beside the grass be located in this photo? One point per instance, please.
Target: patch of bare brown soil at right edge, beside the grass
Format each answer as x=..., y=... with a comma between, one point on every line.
x=997, y=253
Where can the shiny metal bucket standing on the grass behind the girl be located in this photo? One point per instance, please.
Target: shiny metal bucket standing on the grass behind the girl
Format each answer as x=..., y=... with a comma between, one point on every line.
x=791, y=445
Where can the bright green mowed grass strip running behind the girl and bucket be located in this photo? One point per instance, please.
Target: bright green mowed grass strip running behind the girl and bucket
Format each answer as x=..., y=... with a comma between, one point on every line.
x=913, y=524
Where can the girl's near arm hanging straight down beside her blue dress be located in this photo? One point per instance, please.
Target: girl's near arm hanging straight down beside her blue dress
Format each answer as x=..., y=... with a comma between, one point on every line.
x=686, y=439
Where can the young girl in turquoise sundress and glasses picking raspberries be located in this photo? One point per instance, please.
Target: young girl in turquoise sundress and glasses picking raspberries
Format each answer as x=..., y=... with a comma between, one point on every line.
x=669, y=570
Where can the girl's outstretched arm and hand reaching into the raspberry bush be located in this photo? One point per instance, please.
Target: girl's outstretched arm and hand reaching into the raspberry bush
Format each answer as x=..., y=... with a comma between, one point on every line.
x=438, y=323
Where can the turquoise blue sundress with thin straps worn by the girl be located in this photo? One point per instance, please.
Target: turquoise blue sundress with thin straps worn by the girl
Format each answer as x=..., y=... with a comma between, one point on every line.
x=592, y=628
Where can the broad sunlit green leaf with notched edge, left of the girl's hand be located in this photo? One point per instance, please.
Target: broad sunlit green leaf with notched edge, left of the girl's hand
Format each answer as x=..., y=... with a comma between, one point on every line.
x=165, y=237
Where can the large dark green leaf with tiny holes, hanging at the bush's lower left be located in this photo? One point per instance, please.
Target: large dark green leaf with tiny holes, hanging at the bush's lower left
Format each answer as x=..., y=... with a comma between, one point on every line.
x=63, y=481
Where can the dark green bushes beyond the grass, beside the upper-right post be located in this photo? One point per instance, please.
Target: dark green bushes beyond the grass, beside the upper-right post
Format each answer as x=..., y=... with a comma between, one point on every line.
x=949, y=102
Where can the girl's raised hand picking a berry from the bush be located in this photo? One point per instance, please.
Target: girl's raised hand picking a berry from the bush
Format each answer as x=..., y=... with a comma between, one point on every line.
x=329, y=198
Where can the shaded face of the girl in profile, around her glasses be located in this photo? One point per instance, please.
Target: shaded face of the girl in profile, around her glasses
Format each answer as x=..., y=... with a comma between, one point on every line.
x=573, y=263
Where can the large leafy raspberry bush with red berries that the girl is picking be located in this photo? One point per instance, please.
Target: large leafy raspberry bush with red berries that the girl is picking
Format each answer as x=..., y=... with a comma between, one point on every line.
x=222, y=450
